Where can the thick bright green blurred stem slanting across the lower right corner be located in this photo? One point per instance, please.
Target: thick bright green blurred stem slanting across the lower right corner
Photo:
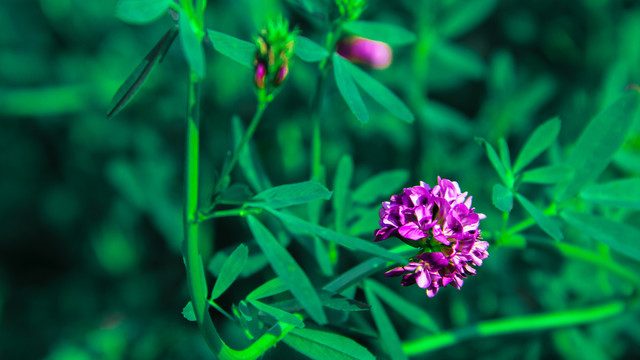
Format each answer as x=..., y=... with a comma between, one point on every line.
x=512, y=325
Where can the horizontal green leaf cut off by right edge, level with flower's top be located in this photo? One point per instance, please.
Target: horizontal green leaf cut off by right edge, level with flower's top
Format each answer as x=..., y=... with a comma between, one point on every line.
x=623, y=193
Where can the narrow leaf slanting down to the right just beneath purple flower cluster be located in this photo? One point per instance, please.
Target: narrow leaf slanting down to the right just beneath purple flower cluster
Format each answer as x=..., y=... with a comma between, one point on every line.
x=408, y=310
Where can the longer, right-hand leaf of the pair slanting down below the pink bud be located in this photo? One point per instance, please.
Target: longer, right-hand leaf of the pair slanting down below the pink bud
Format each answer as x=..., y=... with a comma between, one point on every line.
x=379, y=92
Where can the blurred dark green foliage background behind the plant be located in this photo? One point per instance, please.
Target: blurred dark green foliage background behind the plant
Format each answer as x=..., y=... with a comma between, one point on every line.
x=91, y=209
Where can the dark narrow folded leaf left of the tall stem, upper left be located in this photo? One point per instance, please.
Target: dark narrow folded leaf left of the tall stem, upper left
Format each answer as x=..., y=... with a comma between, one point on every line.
x=134, y=82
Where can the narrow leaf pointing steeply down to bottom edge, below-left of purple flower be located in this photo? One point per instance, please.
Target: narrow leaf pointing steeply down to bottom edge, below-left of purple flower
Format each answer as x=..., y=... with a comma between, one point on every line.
x=387, y=332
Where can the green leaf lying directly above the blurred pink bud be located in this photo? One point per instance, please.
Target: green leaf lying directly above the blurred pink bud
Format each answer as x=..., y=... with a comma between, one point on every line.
x=386, y=33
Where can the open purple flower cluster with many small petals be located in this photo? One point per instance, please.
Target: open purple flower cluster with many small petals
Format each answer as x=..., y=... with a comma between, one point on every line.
x=442, y=224
